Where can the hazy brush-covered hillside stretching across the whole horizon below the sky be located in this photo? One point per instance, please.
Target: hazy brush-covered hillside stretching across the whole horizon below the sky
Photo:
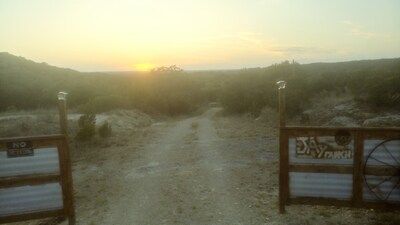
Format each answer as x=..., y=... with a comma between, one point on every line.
x=25, y=84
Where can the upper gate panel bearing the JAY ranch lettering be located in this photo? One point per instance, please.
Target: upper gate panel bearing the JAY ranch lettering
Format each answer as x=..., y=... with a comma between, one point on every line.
x=319, y=150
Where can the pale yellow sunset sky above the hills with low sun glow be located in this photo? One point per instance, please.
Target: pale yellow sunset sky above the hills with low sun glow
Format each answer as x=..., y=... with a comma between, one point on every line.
x=123, y=35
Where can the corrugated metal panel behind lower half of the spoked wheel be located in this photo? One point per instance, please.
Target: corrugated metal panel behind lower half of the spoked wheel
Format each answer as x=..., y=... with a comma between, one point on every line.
x=386, y=189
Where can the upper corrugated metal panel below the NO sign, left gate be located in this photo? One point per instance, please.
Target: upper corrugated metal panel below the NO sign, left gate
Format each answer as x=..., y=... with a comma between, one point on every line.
x=44, y=161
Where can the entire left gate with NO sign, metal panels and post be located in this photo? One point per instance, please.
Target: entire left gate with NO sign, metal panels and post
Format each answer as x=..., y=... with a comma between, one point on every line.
x=35, y=177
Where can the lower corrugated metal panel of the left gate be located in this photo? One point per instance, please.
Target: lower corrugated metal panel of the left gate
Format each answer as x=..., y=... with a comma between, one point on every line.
x=25, y=199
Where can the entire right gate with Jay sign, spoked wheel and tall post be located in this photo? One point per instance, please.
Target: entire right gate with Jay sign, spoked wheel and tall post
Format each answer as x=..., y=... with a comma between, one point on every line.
x=339, y=166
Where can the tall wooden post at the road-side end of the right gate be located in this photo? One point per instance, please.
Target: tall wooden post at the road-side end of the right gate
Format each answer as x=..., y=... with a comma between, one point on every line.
x=283, y=170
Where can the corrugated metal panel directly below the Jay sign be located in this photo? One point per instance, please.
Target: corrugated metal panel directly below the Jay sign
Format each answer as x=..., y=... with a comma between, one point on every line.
x=338, y=186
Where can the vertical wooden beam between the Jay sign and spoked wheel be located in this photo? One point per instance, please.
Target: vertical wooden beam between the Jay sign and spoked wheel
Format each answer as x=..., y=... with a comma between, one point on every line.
x=358, y=169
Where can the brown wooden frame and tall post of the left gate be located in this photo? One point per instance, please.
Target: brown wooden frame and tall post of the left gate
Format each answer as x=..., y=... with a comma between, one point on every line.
x=64, y=178
